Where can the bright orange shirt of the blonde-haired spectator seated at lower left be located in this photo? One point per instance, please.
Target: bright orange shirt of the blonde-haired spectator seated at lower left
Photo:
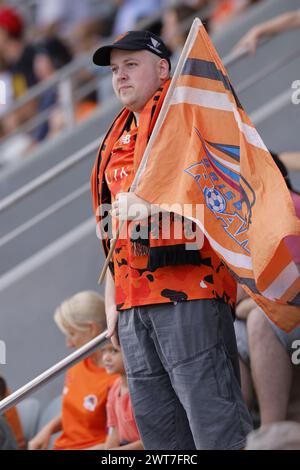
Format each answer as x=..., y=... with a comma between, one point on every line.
x=83, y=407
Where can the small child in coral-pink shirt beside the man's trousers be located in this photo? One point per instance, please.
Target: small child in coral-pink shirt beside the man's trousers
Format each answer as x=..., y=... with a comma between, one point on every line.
x=123, y=432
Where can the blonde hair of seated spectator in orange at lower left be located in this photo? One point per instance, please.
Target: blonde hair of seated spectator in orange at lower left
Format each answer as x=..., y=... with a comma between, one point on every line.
x=79, y=311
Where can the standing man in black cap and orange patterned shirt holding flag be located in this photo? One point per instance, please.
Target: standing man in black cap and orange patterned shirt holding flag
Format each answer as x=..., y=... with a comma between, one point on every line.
x=172, y=300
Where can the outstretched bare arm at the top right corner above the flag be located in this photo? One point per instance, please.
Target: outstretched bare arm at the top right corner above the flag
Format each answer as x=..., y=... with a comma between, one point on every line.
x=281, y=23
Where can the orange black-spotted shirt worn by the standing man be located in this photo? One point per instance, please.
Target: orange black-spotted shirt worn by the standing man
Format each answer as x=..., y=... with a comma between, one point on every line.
x=134, y=284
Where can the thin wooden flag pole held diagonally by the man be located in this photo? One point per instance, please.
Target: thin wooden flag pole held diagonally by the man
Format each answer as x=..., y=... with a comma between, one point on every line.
x=163, y=112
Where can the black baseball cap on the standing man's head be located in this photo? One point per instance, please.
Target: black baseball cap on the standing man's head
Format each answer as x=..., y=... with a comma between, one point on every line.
x=133, y=41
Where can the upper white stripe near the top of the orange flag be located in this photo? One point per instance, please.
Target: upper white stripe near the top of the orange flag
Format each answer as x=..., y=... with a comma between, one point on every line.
x=216, y=100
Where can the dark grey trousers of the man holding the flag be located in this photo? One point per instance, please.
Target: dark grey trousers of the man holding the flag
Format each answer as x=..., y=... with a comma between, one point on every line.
x=182, y=366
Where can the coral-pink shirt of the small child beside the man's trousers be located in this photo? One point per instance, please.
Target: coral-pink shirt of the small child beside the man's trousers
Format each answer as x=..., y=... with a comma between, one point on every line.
x=120, y=414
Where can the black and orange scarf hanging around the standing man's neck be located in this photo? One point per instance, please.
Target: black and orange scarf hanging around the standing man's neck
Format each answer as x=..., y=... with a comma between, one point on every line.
x=161, y=252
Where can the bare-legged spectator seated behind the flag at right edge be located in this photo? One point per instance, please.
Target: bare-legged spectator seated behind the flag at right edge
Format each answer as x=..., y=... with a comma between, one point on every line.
x=266, y=348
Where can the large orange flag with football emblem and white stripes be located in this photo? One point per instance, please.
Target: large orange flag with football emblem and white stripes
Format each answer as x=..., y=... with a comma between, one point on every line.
x=208, y=152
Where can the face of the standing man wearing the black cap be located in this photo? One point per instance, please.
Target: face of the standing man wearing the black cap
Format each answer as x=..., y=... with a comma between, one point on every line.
x=136, y=75
